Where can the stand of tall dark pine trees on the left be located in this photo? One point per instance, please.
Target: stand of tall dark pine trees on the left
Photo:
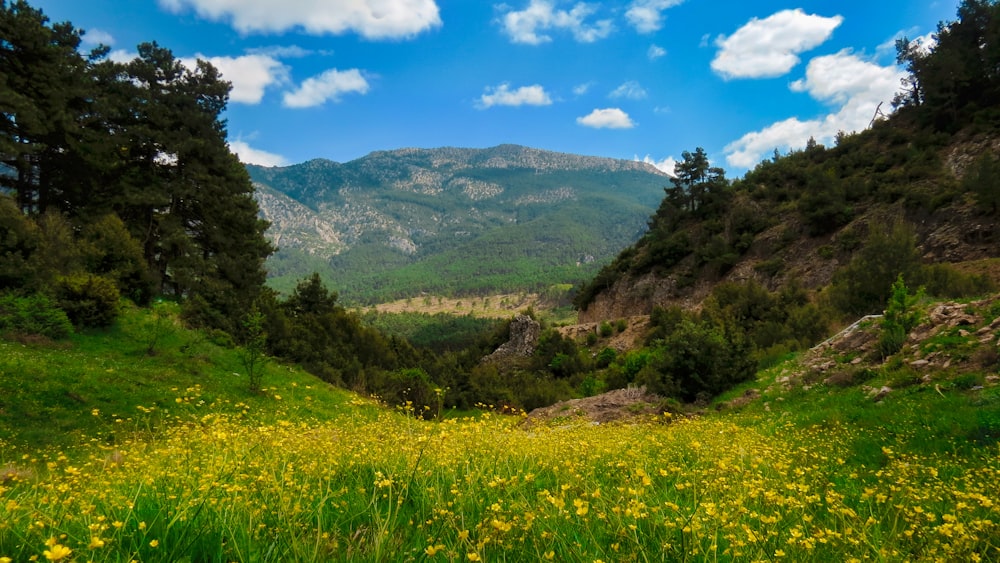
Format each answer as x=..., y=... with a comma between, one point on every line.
x=82, y=141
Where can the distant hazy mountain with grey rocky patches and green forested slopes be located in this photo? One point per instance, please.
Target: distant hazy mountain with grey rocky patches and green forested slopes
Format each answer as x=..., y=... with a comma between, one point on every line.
x=451, y=220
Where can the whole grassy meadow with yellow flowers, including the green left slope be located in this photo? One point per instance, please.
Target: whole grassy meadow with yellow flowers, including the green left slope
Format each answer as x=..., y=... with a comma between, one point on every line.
x=142, y=443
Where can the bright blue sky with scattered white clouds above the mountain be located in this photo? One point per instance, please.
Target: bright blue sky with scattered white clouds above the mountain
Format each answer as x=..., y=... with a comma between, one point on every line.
x=634, y=79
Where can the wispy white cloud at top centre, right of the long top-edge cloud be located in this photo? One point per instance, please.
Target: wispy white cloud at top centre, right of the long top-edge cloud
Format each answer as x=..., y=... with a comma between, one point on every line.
x=530, y=24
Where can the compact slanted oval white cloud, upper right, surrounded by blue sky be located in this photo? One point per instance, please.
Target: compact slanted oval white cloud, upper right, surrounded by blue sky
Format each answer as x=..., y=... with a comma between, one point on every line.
x=770, y=47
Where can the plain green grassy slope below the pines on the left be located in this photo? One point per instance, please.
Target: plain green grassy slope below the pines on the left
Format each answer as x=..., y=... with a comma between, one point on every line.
x=49, y=390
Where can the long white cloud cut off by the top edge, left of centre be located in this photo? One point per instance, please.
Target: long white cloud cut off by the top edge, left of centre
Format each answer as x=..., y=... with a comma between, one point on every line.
x=373, y=19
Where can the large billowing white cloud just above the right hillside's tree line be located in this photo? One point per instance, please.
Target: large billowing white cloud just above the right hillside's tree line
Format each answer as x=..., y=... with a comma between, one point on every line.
x=851, y=85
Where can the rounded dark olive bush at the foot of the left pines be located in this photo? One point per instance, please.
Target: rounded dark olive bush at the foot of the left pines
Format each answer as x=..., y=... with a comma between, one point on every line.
x=89, y=300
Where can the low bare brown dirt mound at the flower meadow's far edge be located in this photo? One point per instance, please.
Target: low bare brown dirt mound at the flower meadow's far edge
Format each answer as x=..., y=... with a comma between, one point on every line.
x=620, y=404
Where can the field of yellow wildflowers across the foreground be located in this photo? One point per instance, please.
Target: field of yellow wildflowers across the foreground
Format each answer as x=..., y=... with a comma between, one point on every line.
x=371, y=485
